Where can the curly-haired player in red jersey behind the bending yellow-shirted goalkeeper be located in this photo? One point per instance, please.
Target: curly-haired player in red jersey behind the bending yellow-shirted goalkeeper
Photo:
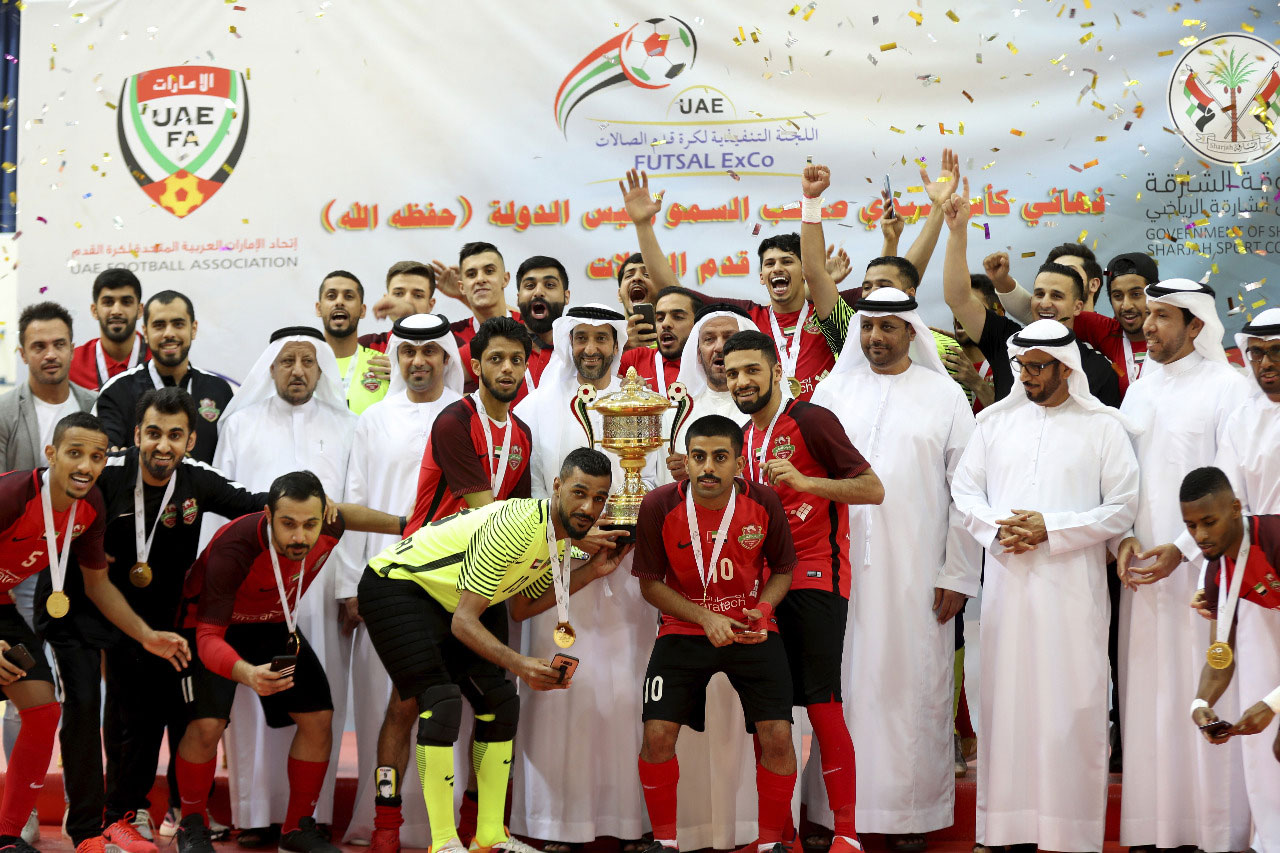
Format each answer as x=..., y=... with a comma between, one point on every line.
x=479, y=451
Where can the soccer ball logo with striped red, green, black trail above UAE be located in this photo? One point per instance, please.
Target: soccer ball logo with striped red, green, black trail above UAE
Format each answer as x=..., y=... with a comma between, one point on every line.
x=648, y=54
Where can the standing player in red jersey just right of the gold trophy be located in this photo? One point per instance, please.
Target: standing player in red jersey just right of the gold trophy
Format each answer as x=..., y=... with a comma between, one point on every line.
x=803, y=451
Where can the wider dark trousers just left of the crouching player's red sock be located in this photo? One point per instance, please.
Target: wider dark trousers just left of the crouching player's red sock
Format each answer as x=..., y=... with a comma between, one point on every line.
x=144, y=697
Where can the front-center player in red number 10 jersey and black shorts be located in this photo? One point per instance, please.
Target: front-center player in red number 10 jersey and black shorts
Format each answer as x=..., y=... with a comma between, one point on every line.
x=715, y=555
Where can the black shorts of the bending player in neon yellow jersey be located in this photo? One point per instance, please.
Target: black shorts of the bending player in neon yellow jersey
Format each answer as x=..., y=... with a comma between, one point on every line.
x=413, y=636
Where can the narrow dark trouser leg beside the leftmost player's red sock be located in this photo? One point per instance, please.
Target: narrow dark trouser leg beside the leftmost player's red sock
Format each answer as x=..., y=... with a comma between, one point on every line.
x=80, y=669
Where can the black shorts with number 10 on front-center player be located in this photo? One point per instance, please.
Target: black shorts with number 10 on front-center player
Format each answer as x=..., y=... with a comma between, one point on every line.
x=680, y=667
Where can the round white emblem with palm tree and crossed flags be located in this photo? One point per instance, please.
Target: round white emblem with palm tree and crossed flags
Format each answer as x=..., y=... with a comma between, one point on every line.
x=1224, y=99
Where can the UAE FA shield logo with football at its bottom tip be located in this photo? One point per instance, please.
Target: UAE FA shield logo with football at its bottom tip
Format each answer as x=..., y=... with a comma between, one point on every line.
x=182, y=131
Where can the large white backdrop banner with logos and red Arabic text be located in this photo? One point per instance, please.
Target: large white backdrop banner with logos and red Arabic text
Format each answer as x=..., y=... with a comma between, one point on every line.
x=240, y=152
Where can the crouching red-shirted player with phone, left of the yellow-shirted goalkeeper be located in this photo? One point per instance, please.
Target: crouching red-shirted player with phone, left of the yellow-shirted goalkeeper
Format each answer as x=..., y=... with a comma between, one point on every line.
x=241, y=614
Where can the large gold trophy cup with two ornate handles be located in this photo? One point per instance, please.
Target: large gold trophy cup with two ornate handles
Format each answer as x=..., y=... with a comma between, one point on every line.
x=633, y=430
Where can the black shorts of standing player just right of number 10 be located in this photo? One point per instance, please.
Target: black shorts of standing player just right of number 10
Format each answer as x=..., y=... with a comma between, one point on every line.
x=812, y=623
